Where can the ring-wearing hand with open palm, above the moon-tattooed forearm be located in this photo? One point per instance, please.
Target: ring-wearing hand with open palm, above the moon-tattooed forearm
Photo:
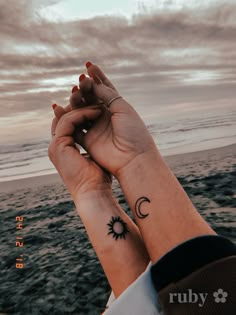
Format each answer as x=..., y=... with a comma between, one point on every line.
x=119, y=136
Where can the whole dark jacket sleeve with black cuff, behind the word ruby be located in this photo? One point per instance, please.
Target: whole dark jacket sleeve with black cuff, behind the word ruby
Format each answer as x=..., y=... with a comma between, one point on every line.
x=197, y=277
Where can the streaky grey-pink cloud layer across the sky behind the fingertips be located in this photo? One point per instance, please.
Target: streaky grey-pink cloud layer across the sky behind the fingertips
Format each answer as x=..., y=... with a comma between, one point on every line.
x=162, y=51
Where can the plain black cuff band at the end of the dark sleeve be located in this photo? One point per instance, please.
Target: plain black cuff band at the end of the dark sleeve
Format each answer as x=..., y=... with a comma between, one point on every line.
x=188, y=257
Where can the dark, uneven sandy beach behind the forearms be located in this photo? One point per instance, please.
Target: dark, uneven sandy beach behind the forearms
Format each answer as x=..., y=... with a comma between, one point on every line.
x=61, y=273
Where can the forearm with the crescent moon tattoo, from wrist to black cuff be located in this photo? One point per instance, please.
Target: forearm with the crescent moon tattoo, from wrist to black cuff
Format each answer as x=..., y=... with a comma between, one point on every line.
x=165, y=215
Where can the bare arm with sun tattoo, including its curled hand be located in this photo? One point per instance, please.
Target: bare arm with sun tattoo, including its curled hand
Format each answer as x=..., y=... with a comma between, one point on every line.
x=124, y=259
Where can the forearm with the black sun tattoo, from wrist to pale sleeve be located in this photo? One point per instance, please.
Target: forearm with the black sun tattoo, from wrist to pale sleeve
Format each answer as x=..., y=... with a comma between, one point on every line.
x=118, y=246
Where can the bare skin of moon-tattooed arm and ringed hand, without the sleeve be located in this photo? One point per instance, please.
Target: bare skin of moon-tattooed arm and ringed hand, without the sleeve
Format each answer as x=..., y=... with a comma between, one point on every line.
x=169, y=216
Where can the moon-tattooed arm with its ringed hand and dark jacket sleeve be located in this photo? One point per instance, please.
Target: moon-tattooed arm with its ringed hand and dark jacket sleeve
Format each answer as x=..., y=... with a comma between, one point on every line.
x=187, y=254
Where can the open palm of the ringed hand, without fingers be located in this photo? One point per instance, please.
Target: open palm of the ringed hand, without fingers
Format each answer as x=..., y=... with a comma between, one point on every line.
x=115, y=139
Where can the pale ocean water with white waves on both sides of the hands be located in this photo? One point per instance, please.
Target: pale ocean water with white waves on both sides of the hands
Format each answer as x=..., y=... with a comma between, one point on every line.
x=183, y=135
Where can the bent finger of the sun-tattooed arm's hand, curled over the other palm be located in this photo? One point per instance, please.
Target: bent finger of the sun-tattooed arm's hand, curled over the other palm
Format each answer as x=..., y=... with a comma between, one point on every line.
x=68, y=123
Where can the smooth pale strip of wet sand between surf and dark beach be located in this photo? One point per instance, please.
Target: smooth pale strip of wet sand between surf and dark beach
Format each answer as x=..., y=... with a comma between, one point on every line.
x=175, y=161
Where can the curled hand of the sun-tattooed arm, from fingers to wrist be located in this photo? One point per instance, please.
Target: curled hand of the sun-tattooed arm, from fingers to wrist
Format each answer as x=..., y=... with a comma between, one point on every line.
x=80, y=174
